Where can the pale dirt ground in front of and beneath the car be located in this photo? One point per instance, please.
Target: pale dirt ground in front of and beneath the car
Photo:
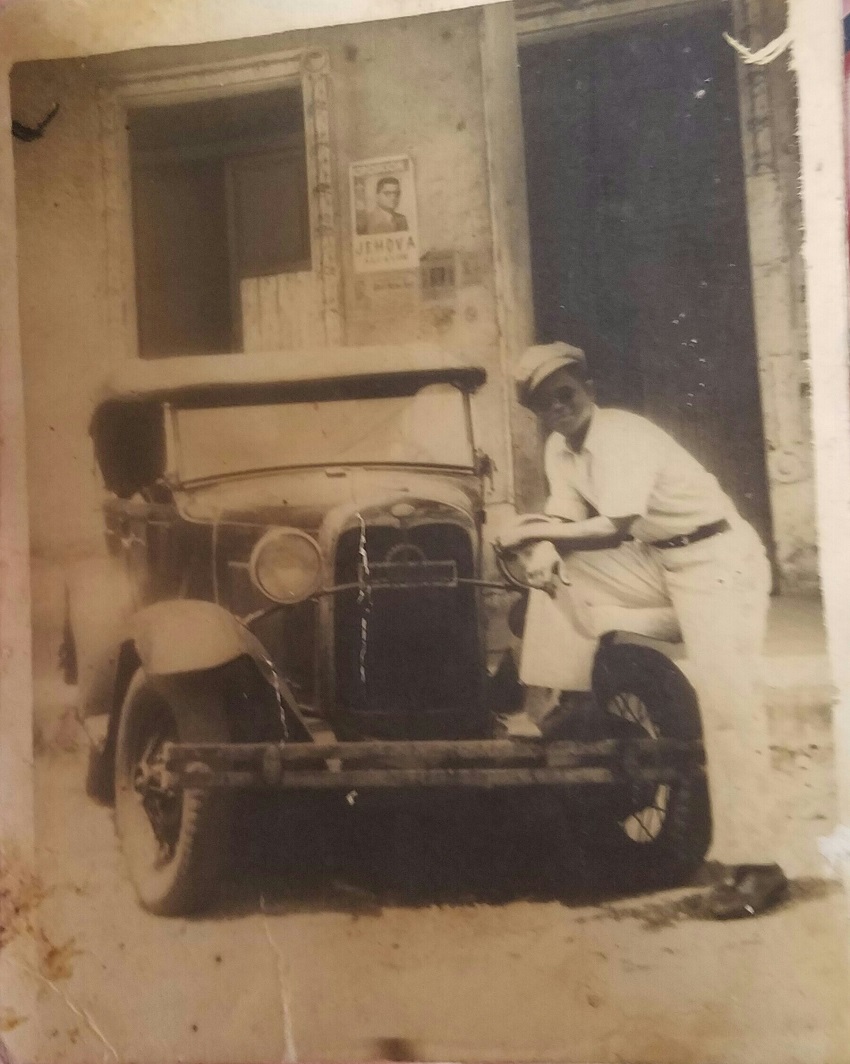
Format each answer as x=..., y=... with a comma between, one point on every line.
x=449, y=932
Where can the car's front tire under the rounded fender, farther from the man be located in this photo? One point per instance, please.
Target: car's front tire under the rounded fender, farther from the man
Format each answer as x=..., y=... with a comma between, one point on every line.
x=177, y=846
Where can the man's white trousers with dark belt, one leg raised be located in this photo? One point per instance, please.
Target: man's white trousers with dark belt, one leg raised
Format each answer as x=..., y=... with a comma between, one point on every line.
x=719, y=590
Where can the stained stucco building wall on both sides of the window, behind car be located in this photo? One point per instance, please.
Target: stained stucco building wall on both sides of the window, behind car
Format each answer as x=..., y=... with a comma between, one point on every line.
x=411, y=87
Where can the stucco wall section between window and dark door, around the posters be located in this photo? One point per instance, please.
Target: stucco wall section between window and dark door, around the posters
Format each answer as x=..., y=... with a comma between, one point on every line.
x=418, y=91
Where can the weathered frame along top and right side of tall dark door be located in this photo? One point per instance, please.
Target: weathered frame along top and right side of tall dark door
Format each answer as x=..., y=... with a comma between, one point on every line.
x=766, y=101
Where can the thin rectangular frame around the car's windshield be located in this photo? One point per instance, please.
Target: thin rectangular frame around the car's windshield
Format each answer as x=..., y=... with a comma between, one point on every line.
x=175, y=478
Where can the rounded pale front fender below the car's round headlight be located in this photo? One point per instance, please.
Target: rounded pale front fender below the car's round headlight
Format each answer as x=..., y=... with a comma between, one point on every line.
x=190, y=636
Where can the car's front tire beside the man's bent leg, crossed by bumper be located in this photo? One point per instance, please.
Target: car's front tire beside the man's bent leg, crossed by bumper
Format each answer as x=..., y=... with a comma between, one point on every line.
x=645, y=836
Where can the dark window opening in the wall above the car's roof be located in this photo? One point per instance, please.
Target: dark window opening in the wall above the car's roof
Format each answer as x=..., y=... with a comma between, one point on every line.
x=220, y=193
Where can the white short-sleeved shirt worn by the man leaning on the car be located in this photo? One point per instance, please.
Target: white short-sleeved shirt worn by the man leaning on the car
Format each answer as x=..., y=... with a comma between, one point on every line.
x=628, y=467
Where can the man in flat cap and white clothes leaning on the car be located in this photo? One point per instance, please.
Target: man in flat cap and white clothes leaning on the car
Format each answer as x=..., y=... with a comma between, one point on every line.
x=668, y=537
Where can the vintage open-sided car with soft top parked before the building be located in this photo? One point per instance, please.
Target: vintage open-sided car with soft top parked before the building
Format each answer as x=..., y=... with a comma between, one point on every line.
x=292, y=598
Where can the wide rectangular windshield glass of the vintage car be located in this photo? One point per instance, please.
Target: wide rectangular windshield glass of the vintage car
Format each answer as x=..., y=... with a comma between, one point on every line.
x=429, y=428
